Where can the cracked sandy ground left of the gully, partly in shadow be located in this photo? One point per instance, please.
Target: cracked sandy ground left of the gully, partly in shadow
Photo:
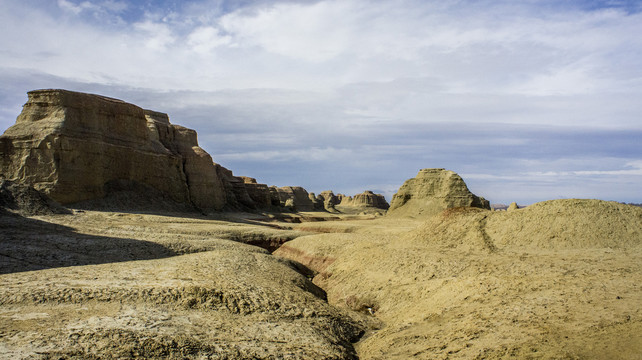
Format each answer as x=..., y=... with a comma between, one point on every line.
x=126, y=285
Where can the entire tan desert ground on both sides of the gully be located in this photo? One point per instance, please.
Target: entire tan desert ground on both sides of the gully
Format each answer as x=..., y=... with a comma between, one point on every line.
x=557, y=280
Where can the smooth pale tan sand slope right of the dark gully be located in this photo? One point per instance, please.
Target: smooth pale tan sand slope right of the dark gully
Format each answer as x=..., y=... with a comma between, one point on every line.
x=474, y=284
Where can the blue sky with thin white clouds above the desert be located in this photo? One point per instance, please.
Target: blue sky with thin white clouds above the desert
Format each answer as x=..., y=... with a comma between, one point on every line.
x=527, y=100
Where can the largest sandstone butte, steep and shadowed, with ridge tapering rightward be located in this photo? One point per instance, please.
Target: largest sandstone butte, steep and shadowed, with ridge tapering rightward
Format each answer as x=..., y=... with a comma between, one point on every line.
x=76, y=147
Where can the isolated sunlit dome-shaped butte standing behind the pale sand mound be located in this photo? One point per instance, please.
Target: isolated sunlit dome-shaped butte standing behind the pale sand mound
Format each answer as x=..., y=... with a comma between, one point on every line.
x=432, y=191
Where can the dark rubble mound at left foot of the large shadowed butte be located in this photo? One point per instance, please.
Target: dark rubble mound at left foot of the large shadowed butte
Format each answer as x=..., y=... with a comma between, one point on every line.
x=27, y=201
